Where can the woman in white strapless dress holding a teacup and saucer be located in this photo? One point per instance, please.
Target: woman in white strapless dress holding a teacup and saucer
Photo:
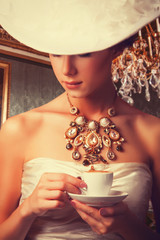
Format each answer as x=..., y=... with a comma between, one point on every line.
x=37, y=170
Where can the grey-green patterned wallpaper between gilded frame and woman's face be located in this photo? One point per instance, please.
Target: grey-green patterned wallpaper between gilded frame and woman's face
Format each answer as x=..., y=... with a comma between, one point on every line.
x=32, y=84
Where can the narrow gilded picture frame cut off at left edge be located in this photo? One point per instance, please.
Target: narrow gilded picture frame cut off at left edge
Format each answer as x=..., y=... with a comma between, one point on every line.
x=5, y=75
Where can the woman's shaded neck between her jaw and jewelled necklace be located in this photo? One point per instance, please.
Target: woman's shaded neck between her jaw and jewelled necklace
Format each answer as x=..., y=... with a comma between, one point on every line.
x=94, y=107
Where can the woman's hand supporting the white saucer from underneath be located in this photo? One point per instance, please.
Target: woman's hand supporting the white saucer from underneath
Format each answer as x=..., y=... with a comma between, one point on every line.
x=104, y=220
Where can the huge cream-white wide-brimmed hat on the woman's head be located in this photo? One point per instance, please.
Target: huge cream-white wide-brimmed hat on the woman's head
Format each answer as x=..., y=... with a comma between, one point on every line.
x=75, y=26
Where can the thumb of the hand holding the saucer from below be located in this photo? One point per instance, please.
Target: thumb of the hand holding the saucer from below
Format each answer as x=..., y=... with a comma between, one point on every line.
x=115, y=210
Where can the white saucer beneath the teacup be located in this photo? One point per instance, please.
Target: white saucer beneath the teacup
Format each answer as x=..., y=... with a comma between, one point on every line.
x=100, y=201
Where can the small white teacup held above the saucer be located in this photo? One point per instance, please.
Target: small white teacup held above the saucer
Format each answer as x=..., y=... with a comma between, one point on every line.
x=98, y=182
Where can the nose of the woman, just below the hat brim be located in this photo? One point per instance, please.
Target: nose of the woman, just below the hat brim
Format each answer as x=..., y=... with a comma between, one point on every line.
x=69, y=67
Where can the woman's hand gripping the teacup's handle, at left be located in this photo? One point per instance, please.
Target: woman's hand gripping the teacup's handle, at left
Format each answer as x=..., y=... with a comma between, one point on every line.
x=50, y=193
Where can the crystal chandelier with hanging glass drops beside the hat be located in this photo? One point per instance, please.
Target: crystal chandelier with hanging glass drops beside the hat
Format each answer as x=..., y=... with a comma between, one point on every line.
x=139, y=66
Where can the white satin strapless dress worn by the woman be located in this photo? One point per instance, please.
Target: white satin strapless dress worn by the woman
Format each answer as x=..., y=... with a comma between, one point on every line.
x=66, y=224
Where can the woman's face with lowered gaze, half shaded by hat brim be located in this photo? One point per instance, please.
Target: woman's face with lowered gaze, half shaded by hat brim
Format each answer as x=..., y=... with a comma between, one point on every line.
x=83, y=75
